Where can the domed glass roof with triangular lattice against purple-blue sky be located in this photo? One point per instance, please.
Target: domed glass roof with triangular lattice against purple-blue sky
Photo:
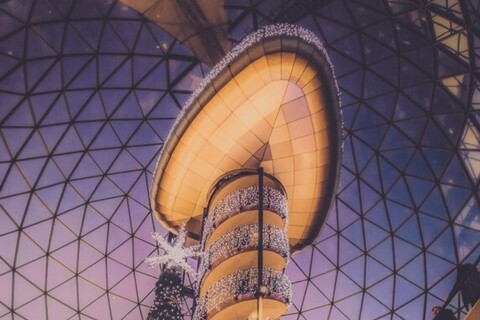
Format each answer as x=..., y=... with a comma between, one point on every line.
x=90, y=89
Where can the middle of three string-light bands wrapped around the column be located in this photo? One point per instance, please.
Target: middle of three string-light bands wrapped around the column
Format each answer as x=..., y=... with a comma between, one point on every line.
x=243, y=239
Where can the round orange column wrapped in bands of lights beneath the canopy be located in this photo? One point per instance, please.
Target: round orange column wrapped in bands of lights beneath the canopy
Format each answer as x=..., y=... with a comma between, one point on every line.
x=231, y=285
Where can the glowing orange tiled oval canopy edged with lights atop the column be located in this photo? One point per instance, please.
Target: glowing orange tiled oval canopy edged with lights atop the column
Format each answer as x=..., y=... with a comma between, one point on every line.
x=271, y=103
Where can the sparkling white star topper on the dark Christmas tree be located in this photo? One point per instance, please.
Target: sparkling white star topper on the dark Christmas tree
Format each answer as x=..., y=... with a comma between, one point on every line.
x=175, y=253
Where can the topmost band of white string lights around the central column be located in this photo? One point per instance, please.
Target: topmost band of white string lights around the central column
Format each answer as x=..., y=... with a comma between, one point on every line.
x=243, y=200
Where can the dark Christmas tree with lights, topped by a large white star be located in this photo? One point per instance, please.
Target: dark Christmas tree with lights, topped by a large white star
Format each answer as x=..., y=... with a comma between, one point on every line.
x=169, y=288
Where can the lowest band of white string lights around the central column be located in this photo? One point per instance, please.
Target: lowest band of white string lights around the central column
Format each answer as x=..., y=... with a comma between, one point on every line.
x=242, y=285
